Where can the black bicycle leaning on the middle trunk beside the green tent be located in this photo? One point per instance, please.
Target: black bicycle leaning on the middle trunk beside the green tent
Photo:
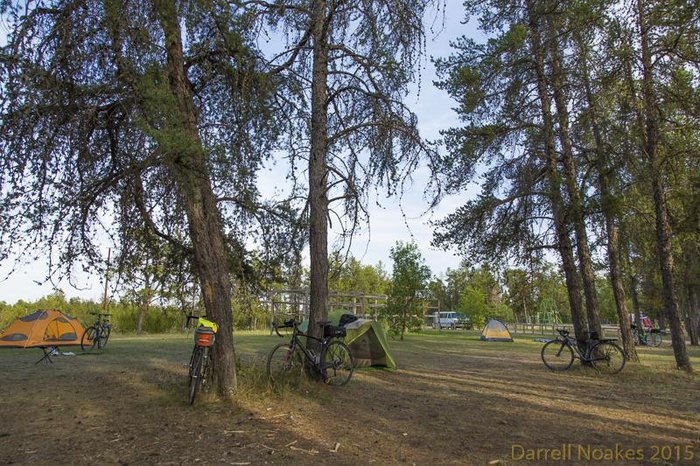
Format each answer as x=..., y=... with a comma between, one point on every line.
x=287, y=362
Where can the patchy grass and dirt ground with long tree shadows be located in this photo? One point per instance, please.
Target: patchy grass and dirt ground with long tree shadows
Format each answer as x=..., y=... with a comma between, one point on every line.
x=454, y=400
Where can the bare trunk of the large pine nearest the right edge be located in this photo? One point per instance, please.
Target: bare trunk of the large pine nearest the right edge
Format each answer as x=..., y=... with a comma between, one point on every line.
x=655, y=169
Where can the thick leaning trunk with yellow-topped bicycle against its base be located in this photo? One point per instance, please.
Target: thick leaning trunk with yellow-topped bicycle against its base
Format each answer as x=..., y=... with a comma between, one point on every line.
x=188, y=164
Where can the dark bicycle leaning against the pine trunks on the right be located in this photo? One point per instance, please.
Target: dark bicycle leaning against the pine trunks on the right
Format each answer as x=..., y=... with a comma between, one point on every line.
x=604, y=355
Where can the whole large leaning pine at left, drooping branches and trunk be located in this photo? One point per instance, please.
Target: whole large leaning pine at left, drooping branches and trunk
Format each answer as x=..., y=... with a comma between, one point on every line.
x=119, y=118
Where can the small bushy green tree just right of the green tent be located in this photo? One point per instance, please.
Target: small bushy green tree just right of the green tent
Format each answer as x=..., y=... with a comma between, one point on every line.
x=408, y=280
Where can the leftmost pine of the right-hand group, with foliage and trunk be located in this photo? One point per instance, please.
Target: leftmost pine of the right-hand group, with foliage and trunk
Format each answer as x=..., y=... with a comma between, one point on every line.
x=509, y=140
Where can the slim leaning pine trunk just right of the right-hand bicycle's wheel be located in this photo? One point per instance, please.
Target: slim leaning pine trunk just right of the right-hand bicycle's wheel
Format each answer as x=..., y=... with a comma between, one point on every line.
x=611, y=229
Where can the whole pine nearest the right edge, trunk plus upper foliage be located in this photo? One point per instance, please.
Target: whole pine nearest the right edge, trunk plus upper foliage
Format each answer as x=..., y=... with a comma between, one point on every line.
x=661, y=30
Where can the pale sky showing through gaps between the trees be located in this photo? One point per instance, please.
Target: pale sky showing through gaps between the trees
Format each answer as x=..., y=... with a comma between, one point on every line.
x=387, y=223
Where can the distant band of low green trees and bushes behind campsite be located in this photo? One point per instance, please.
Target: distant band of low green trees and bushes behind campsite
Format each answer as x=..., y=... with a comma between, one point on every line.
x=414, y=293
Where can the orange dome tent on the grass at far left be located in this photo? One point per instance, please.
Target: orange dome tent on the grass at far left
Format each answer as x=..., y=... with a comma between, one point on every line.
x=42, y=329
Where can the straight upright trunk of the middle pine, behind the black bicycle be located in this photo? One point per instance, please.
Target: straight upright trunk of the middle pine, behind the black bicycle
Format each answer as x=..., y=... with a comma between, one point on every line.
x=318, y=172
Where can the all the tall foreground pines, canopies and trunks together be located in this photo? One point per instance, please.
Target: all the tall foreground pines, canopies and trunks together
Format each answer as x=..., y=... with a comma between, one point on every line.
x=147, y=123
